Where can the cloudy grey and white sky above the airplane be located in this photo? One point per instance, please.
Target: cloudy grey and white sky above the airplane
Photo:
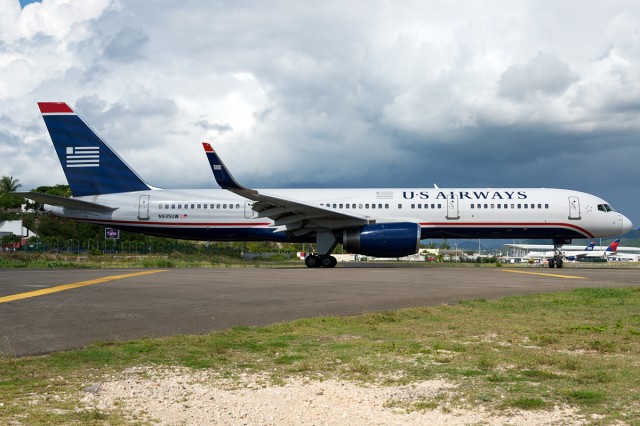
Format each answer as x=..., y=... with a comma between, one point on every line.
x=314, y=94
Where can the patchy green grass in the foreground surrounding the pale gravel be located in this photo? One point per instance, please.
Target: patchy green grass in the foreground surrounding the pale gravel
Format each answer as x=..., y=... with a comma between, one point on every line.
x=577, y=348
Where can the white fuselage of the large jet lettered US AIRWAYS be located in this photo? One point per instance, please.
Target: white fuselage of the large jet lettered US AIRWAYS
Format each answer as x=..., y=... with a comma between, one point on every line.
x=217, y=214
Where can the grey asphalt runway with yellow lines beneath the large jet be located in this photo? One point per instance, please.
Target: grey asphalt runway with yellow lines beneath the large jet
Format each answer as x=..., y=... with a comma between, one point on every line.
x=43, y=311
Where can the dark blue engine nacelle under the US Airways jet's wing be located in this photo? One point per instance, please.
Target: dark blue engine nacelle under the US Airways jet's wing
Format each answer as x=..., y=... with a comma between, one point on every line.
x=383, y=239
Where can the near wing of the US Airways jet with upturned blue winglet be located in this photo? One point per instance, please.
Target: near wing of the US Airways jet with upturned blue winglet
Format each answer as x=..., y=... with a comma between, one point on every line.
x=288, y=214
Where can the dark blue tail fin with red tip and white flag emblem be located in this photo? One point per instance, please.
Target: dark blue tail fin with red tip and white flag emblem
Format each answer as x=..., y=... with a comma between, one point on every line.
x=90, y=165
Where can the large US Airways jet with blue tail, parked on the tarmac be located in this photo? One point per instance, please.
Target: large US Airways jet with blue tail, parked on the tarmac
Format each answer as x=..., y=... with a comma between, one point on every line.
x=387, y=222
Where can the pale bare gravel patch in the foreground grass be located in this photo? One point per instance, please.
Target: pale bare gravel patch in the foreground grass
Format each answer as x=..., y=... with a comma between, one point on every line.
x=178, y=396
